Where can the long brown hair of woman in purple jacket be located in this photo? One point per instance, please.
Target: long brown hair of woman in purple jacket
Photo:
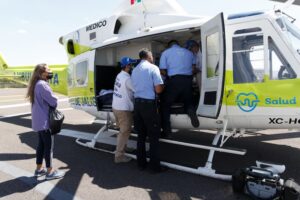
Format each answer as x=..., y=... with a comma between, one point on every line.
x=36, y=76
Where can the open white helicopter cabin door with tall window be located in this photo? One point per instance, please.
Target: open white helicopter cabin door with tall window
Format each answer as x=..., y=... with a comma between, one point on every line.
x=213, y=67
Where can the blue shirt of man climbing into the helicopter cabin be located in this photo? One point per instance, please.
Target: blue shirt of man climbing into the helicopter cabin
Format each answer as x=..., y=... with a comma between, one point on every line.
x=177, y=61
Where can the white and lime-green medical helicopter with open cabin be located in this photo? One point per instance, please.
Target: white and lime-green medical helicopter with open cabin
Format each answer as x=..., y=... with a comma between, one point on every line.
x=250, y=75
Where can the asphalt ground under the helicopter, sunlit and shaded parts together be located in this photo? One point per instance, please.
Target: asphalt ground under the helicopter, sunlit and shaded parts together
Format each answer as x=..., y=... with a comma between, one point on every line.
x=92, y=174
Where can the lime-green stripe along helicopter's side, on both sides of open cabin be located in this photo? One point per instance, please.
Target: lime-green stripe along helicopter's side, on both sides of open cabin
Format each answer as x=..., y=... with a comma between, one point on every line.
x=270, y=93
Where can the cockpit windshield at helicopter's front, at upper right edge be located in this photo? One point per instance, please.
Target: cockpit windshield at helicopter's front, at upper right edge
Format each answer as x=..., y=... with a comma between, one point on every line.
x=291, y=31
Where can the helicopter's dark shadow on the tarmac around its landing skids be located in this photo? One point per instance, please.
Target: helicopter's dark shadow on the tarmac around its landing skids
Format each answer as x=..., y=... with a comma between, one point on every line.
x=171, y=184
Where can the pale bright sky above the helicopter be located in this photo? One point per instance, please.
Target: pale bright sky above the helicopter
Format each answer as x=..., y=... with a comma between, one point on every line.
x=29, y=30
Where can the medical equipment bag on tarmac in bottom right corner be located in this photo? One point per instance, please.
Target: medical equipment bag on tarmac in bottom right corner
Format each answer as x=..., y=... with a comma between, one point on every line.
x=263, y=182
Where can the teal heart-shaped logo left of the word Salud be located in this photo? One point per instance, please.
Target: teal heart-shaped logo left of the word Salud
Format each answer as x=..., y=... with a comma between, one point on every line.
x=247, y=102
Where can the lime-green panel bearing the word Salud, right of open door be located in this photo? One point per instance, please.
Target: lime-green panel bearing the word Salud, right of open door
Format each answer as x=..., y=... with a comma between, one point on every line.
x=270, y=93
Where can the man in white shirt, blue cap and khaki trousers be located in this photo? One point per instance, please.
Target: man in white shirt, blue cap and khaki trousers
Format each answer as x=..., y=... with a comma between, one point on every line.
x=123, y=107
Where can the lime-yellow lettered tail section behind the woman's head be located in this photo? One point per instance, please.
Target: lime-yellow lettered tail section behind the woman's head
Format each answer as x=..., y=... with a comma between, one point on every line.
x=19, y=76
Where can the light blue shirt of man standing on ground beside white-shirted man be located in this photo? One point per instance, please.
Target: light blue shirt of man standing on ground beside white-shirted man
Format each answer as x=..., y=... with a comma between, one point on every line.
x=144, y=77
